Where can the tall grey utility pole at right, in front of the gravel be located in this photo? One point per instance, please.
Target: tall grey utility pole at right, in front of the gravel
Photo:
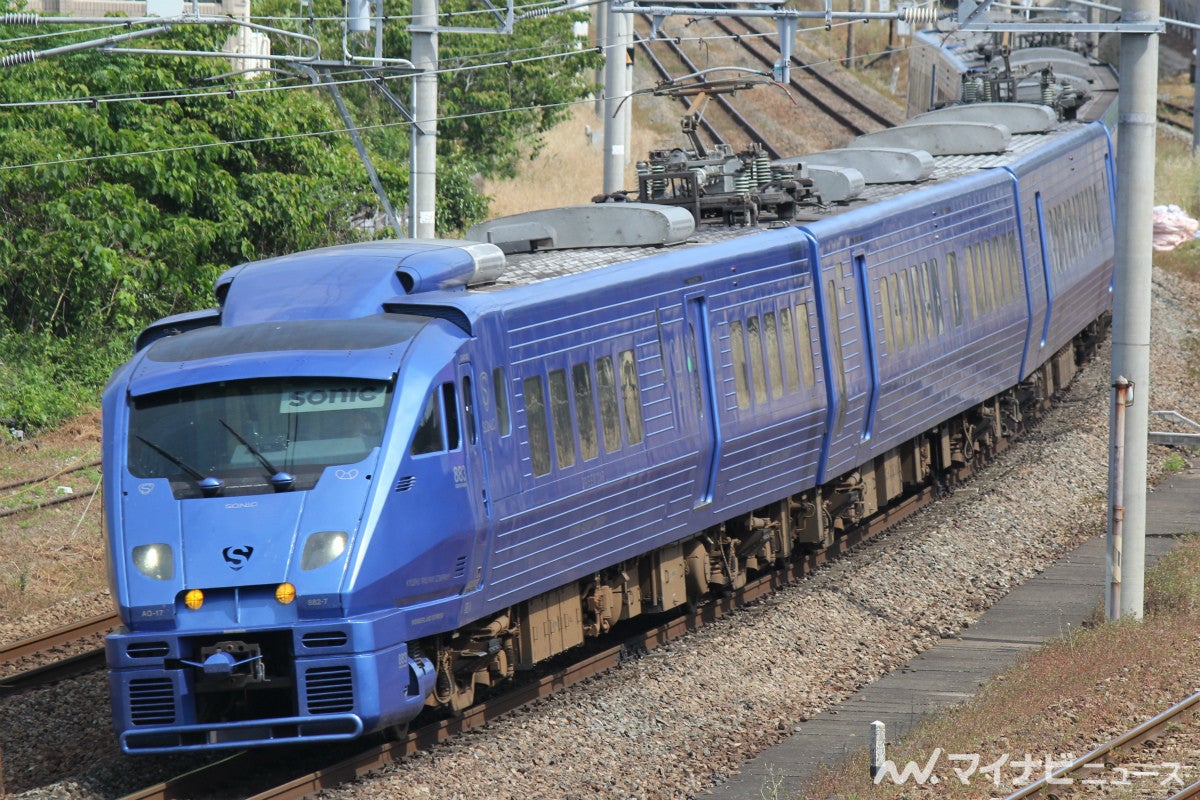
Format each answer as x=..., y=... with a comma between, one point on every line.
x=1132, y=292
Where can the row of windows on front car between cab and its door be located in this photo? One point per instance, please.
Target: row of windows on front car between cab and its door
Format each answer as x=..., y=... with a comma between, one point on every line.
x=574, y=402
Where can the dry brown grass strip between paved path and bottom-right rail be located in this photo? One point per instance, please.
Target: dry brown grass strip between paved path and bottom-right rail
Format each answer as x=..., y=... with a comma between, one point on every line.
x=1085, y=689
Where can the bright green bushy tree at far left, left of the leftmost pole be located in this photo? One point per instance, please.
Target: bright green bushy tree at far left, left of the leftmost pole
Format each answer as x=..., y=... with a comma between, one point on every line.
x=125, y=209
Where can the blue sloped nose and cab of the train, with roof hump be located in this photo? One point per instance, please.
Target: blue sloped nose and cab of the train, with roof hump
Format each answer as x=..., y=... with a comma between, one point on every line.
x=255, y=528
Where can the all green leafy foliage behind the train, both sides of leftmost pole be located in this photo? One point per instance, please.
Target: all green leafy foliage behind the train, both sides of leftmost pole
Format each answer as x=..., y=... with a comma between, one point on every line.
x=125, y=203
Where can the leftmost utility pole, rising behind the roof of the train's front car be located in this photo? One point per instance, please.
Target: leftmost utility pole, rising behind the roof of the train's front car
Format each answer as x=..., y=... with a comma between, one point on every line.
x=423, y=178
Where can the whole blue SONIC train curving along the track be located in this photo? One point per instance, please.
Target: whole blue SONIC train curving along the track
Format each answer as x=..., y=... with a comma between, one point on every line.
x=377, y=478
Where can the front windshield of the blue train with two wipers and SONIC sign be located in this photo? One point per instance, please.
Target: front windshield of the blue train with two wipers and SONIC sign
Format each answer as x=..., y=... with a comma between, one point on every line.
x=244, y=434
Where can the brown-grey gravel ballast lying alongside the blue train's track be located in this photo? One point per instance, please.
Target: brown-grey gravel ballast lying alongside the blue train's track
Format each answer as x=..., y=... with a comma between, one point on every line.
x=686, y=717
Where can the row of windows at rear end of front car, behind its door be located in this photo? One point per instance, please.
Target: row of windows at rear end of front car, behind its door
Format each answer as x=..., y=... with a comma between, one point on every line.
x=772, y=354
